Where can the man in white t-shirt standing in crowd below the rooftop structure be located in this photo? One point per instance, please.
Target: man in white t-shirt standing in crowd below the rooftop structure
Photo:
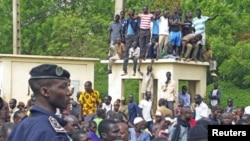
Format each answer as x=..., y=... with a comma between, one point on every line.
x=146, y=106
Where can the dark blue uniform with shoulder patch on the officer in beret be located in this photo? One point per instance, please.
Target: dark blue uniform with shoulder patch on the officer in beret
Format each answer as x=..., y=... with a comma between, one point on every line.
x=40, y=126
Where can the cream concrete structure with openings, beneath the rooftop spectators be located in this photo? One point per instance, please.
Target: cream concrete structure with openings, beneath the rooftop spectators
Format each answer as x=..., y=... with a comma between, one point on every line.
x=194, y=72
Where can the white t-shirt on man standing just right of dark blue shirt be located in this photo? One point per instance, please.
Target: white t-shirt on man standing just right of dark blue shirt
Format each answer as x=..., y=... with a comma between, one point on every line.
x=146, y=109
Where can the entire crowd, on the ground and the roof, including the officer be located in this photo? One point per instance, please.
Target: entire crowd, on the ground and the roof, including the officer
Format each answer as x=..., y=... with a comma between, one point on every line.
x=52, y=114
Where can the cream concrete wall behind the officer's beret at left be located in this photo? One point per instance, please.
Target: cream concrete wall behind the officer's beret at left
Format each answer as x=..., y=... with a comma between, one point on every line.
x=14, y=73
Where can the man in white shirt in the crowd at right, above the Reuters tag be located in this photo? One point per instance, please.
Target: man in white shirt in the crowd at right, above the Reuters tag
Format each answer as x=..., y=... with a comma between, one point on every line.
x=201, y=109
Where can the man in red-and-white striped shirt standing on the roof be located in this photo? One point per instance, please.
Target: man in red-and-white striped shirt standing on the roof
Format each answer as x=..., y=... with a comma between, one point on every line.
x=144, y=33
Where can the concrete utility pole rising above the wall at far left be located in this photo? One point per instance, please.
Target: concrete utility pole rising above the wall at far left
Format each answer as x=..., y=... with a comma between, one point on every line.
x=16, y=27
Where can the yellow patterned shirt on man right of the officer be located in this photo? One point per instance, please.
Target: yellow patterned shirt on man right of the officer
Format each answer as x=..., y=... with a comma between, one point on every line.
x=89, y=101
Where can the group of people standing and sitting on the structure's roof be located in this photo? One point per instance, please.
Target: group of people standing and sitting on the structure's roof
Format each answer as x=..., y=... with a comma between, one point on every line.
x=159, y=35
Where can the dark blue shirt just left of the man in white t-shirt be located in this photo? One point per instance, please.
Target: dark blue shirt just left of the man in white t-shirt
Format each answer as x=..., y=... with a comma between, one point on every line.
x=133, y=110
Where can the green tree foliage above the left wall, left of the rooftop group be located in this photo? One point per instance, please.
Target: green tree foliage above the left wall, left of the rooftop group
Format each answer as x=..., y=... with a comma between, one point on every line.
x=59, y=27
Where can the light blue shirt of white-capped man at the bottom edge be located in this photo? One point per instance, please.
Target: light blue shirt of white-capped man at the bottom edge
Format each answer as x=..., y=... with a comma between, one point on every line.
x=144, y=136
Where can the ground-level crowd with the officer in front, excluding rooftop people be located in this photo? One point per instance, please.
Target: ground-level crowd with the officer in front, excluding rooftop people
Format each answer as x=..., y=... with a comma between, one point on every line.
x=52, y=114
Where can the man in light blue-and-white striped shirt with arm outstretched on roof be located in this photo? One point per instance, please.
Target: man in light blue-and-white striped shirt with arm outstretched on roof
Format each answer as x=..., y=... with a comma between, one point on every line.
x=199, y=24
